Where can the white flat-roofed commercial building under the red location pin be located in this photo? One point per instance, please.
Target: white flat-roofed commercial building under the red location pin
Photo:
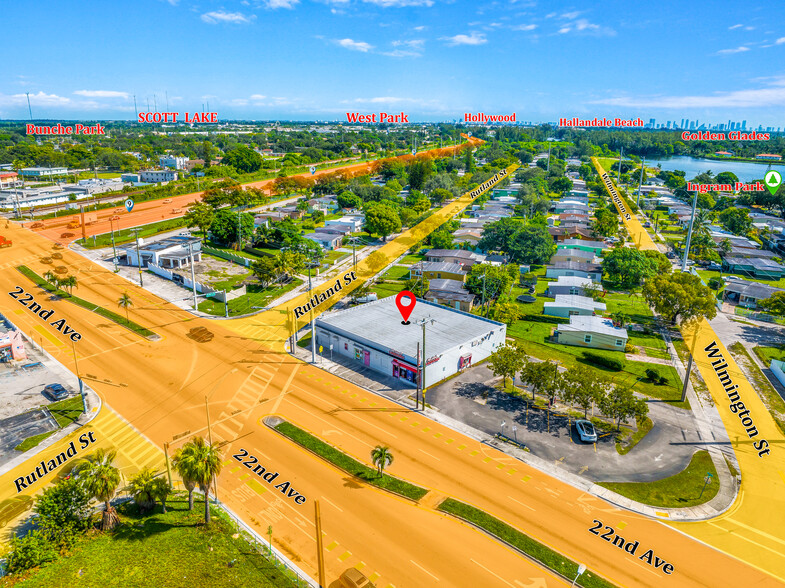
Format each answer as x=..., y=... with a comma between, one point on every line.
x=373, y=335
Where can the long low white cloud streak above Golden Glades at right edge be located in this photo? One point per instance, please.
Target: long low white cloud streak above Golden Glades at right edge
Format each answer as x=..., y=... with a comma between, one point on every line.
x=761, y=97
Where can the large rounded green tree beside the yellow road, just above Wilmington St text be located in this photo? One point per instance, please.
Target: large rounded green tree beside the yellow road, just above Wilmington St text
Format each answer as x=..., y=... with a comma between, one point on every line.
x=680, y=296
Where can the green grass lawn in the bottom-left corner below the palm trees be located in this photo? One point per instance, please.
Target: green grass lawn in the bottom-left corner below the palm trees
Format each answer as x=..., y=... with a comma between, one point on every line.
x=172, y=549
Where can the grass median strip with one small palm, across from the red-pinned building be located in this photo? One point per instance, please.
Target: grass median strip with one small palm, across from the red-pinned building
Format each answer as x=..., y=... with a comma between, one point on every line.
x=349, y=464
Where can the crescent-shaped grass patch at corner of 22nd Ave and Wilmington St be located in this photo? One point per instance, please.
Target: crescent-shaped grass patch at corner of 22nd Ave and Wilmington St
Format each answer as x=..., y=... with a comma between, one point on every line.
x=678, y=491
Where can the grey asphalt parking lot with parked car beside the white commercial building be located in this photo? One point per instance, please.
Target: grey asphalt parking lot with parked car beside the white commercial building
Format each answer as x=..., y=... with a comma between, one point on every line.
x=665, y=451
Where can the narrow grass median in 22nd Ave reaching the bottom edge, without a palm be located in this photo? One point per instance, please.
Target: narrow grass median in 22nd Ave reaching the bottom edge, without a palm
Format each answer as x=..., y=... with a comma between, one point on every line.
x=534, y=549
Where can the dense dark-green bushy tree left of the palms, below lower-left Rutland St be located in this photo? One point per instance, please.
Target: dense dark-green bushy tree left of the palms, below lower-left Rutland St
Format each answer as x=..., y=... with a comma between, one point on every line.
x=63, y=512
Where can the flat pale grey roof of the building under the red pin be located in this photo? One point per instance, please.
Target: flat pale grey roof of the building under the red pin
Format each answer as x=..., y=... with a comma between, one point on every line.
x=380, y=322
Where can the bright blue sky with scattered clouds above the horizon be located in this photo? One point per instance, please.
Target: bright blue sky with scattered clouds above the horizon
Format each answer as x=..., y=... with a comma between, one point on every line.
x=433, y=59
